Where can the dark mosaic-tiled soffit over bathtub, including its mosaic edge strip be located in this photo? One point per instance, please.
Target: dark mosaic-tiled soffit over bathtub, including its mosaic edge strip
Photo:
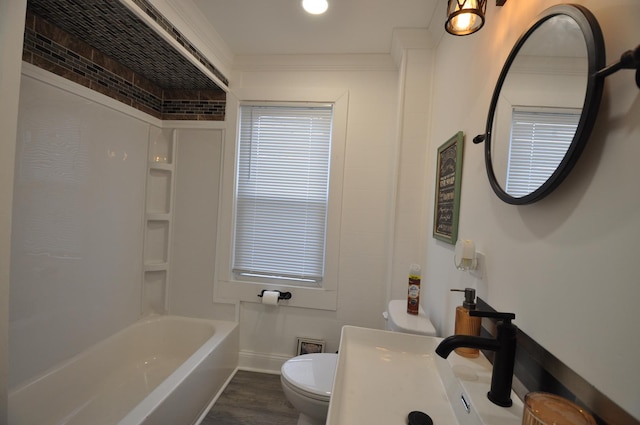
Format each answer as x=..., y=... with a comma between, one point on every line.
x=113, y=28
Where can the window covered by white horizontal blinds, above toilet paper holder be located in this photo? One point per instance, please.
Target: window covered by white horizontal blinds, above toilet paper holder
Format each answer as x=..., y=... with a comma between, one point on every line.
x=282, y=193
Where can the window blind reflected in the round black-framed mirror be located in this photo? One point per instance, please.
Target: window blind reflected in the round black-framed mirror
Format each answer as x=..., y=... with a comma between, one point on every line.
x=539, y=142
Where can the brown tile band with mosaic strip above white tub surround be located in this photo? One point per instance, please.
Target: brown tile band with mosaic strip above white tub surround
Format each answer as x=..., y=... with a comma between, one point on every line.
x=54, y=49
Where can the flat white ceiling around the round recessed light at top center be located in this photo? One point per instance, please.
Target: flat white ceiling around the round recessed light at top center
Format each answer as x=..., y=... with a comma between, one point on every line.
x=268, y=27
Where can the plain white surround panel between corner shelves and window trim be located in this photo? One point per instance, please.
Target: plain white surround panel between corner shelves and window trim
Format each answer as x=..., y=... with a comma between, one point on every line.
x=197, y=191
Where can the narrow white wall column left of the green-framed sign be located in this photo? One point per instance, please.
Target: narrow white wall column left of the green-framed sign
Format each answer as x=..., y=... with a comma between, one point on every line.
x=409, y=221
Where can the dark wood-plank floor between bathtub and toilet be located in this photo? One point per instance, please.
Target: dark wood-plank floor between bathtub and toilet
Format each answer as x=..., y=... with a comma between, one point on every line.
x=252, y=398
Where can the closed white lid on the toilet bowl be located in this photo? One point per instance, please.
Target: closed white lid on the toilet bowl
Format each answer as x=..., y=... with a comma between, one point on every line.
x=311, y=373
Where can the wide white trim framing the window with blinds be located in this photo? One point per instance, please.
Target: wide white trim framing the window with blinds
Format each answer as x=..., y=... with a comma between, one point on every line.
x=226, y=286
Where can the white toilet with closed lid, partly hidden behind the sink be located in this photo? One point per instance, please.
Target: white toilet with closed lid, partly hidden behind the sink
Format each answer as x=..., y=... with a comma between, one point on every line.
x=307, y=380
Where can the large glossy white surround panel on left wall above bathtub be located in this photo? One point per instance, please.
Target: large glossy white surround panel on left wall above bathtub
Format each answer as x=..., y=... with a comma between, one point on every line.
x=77, y=226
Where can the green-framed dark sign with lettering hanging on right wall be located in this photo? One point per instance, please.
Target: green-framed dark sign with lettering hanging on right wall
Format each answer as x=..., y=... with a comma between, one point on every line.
x=446, y=210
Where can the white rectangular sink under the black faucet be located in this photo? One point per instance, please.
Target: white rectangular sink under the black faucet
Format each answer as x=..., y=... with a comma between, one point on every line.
x=382, y=376
